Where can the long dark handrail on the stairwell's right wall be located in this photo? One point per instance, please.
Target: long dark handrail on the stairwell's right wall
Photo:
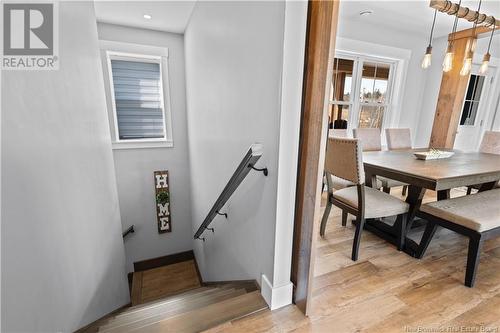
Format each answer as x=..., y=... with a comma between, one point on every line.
x=248, y=163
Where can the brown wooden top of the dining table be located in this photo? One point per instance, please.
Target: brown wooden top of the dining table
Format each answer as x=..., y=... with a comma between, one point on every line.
x=461, y=169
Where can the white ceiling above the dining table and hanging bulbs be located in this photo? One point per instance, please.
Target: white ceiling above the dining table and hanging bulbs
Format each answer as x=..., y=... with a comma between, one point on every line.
x=414, y=16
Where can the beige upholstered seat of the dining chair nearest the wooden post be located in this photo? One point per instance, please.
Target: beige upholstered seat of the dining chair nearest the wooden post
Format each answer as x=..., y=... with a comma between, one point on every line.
x=377, y=203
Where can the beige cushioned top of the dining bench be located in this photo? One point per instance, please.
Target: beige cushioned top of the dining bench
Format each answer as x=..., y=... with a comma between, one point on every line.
x=479, y=212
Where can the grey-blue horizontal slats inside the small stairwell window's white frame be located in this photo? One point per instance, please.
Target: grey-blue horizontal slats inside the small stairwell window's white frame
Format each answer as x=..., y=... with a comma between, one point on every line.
x=138, y=99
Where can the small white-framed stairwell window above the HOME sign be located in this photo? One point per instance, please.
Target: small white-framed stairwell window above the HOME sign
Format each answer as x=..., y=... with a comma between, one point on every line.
x=136, y=92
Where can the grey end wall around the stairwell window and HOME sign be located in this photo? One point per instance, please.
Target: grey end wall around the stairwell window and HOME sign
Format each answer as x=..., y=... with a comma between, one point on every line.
x=135, y=167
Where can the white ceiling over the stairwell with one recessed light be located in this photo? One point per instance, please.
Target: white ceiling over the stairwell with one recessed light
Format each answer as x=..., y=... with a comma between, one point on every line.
x=171, y=16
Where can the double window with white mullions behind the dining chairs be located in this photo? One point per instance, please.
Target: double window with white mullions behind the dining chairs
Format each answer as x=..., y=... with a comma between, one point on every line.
x=369, y=80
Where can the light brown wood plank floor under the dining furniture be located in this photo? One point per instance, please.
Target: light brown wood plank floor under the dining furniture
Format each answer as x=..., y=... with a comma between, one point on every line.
x=388, y=291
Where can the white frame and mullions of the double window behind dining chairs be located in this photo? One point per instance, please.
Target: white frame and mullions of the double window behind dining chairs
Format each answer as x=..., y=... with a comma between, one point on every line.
x=355, y=103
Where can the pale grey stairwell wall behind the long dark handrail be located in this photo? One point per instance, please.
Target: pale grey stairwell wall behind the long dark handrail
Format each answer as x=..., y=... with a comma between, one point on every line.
x=234, y=54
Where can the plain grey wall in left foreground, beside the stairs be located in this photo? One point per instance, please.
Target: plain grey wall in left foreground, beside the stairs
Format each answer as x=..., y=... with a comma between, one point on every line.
x=63, y=260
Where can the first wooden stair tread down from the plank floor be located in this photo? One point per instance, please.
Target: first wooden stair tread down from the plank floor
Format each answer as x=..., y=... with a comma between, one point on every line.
x=132, y=323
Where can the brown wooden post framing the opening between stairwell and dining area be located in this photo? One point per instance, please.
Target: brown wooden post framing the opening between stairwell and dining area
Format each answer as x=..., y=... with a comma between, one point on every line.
x=322, y=18
